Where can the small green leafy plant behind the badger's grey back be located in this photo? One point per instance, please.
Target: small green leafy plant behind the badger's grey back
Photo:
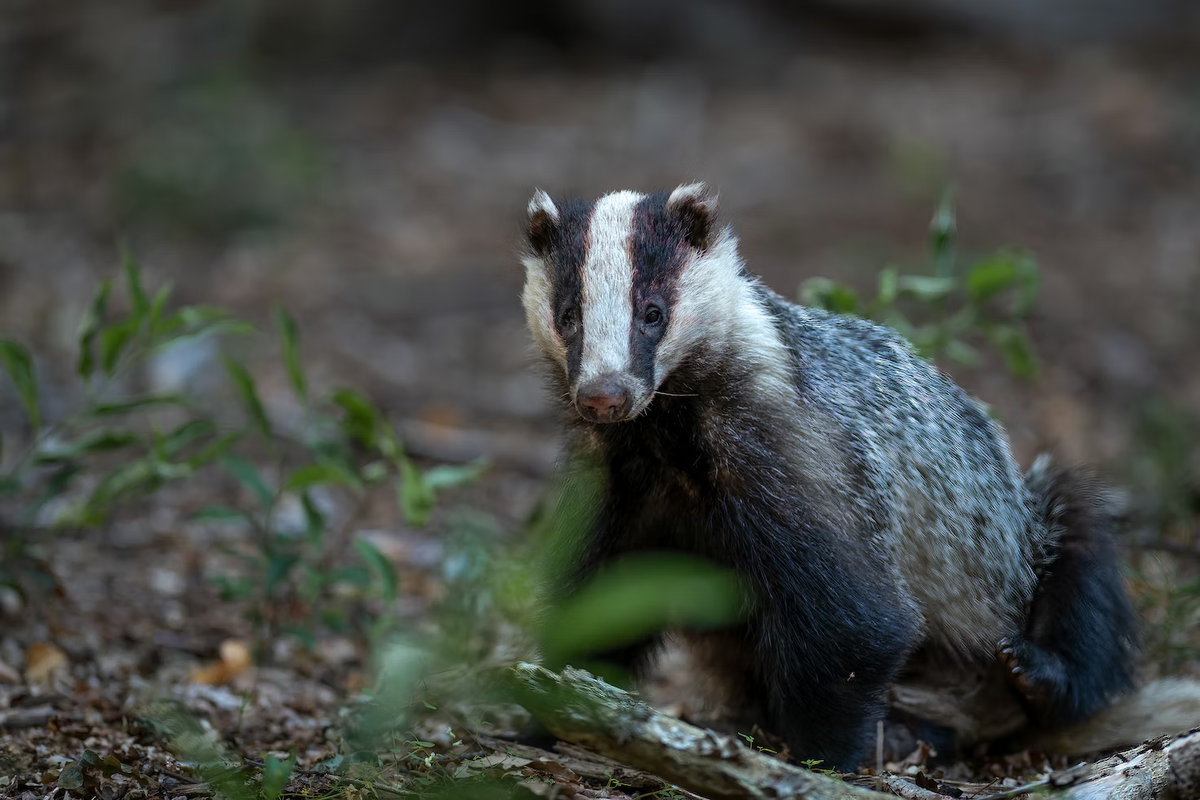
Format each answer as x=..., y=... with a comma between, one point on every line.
x=957, y=302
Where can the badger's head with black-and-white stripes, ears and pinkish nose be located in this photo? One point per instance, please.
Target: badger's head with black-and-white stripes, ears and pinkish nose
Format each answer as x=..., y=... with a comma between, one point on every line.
x=622, y=291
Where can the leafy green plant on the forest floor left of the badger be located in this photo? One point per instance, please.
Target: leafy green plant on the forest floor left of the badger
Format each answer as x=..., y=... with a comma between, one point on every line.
x=116, y=449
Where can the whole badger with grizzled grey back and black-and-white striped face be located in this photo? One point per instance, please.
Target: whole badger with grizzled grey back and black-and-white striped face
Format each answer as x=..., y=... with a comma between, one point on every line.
x=871, y=507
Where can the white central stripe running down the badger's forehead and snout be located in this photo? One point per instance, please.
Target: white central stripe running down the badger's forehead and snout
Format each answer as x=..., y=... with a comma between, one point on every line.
x=608, y=287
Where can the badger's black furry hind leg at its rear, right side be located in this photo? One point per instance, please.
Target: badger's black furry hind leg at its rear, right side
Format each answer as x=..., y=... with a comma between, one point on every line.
x=1077, y=651
